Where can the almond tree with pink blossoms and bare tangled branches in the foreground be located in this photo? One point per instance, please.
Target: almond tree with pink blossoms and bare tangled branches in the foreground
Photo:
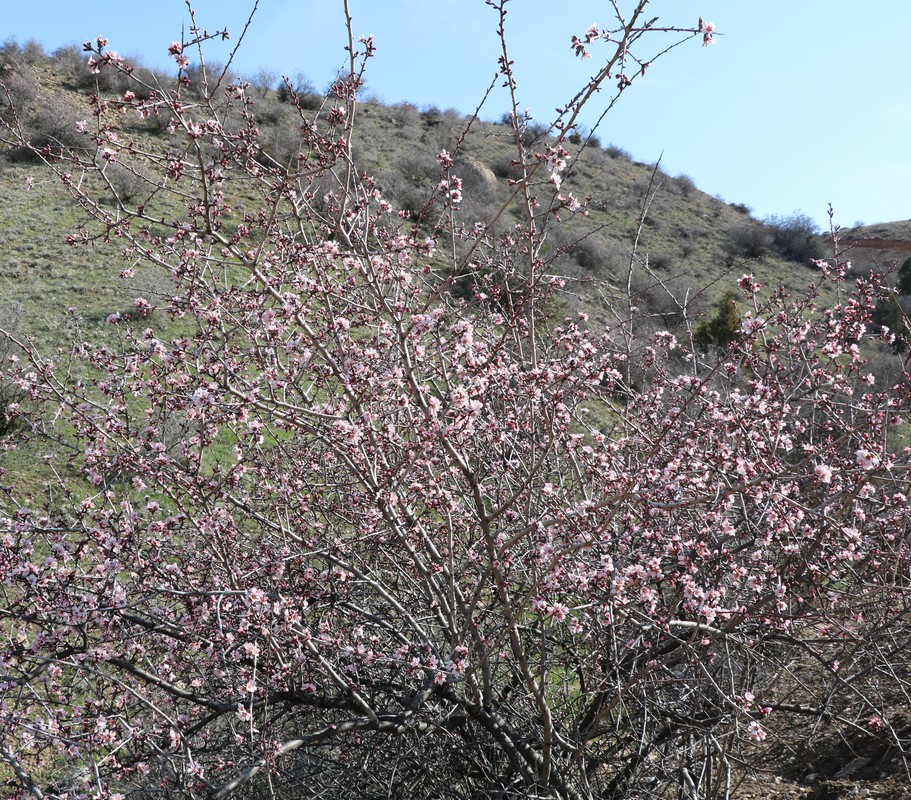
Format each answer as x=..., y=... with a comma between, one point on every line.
x=339, y=533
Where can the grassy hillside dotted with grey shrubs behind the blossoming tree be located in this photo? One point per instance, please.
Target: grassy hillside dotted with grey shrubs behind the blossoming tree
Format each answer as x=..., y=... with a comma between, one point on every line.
x=649, y=247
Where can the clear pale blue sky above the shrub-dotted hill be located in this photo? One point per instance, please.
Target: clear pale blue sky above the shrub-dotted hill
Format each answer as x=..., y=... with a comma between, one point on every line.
x=801, y=102
